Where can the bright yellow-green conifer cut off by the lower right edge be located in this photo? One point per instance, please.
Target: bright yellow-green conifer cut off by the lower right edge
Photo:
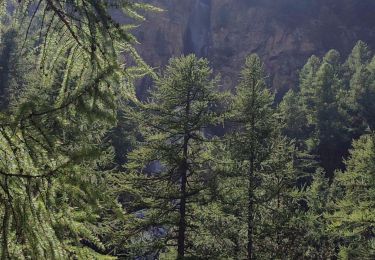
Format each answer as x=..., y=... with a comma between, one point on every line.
x=354, y=217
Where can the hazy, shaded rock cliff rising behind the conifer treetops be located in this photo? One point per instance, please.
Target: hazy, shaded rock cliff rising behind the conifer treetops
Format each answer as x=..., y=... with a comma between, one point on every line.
x=283, y=32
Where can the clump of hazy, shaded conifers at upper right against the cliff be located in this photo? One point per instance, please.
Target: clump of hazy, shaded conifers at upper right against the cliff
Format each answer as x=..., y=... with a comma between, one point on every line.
x=332, y=105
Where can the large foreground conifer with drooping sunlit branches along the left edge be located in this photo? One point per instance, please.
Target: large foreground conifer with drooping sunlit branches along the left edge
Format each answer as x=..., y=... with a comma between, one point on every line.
x=52, y=134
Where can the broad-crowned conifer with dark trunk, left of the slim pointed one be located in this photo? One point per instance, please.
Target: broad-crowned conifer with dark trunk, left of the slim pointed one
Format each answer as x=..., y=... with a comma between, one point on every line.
x=170, y=171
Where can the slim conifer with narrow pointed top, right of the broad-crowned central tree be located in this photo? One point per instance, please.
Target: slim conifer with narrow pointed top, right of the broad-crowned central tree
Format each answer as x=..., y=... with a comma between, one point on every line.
x=264, y=171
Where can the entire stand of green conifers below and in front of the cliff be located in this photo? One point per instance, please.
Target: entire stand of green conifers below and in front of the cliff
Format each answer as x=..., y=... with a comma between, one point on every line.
x=90, y=170
